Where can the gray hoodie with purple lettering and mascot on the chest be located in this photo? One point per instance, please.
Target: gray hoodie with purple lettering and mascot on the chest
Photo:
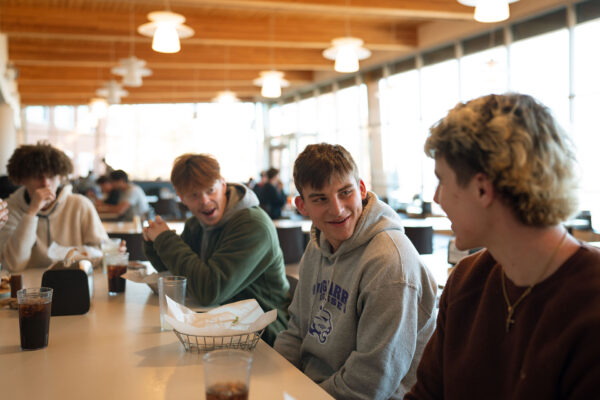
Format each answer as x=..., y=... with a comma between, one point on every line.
x=361, y=316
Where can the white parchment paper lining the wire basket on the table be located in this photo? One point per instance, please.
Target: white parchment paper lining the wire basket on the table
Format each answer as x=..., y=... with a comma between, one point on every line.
x=237, y=318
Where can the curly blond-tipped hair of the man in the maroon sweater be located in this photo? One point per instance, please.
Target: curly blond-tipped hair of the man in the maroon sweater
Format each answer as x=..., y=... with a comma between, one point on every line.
x=518, y=144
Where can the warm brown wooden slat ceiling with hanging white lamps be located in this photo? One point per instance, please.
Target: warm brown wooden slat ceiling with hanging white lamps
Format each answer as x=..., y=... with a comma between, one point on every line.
x=64, y=49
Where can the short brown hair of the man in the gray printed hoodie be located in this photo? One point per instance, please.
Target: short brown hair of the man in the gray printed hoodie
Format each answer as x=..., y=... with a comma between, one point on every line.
x=318, y=163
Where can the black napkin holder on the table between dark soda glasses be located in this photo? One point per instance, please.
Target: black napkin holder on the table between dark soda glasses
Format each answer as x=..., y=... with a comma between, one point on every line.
x=73, y=287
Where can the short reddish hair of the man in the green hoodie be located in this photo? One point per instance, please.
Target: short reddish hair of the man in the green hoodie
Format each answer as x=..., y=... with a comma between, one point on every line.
x=194, y=170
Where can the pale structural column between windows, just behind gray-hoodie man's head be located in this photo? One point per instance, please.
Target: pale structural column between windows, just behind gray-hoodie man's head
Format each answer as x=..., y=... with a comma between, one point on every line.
x=378, y=176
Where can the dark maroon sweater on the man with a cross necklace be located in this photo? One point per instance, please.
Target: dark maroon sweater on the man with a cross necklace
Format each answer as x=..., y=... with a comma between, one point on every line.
x=552, y=351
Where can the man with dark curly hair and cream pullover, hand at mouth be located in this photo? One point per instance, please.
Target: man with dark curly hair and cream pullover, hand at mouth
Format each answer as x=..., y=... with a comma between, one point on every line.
x=44, y=209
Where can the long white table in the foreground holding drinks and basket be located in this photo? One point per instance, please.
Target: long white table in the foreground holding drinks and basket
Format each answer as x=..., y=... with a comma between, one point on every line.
x=117, y=351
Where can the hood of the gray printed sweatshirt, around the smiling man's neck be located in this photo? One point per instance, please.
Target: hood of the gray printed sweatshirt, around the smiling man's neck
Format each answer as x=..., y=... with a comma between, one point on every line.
x=375, y=218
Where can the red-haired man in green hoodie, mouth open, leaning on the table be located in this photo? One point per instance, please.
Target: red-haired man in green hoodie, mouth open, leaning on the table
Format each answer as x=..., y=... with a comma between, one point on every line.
x=228, y=250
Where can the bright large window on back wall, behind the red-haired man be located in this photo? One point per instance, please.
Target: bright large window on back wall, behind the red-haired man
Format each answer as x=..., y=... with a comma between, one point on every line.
x=145, y=139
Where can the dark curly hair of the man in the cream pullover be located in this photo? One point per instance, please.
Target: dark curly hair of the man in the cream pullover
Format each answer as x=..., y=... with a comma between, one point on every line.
x=34, y=161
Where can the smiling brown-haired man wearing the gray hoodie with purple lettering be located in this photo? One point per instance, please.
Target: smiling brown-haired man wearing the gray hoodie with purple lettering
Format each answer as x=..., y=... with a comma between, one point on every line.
x=364, y=307
